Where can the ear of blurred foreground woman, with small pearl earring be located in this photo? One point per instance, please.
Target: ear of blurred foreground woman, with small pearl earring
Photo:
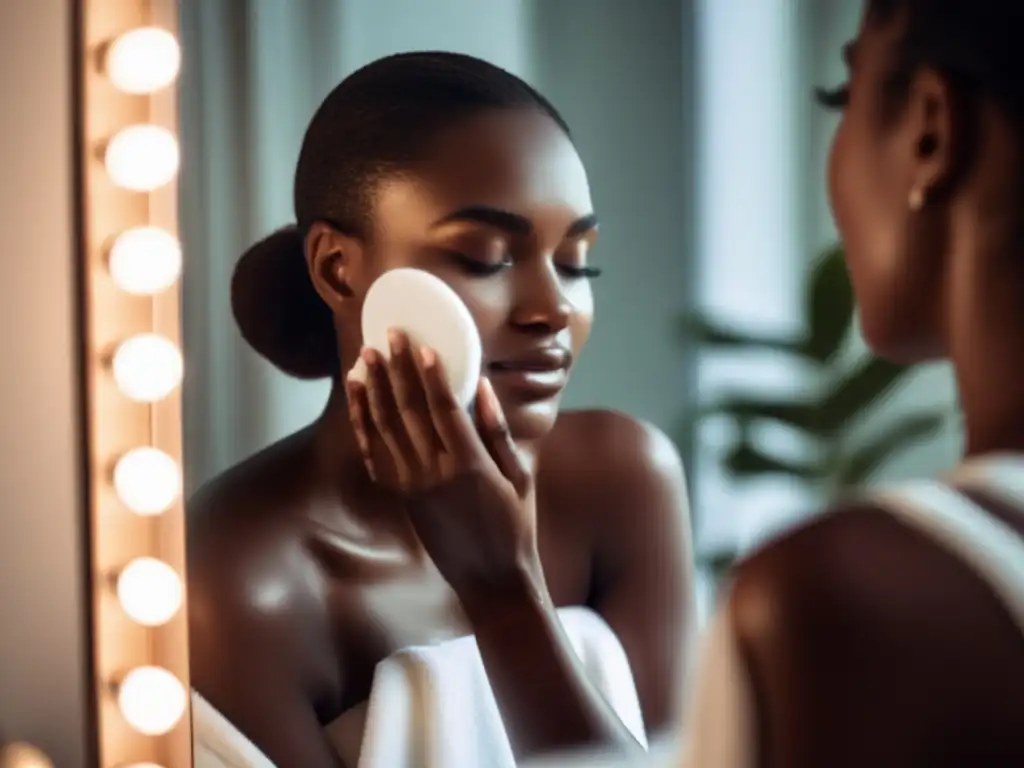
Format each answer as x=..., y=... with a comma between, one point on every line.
x=936, y=129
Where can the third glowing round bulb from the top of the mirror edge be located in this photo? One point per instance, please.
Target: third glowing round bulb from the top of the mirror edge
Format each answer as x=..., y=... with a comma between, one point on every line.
x=145, y=261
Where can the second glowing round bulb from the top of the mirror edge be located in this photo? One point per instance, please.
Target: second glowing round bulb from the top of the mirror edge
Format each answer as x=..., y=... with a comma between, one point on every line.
x=143, y=158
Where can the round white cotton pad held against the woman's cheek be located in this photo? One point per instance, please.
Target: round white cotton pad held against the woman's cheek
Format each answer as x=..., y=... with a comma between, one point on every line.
x=433, y=315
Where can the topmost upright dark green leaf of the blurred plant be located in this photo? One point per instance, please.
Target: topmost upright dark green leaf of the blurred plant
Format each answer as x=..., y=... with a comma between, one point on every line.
x=829, y=307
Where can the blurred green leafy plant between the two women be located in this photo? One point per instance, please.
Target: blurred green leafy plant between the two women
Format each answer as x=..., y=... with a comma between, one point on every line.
x=827, y=416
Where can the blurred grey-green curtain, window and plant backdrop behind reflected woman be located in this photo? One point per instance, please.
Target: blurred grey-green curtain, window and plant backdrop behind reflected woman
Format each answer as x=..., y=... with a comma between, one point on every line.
x=724, y=315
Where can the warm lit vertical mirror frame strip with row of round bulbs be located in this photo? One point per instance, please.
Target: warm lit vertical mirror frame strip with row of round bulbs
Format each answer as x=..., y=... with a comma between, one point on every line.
x=130, y=163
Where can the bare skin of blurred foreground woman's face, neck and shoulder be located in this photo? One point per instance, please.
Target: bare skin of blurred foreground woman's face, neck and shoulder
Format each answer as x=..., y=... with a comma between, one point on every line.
x=867, y=644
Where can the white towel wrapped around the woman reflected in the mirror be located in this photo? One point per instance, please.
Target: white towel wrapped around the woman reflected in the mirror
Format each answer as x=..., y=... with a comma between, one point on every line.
x=432, y=707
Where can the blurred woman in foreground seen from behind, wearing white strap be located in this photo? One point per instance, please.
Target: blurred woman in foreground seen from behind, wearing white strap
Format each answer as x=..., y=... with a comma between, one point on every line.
x=891, y=632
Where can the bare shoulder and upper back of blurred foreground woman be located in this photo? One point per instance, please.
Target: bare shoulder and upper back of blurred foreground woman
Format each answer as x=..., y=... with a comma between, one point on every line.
x=857, y=613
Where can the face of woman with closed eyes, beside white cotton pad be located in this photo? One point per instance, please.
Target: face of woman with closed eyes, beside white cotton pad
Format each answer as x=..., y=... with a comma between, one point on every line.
x=502, y=212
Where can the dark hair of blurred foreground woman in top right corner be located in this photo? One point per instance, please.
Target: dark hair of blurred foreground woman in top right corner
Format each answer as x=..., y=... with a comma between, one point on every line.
x=976, y=44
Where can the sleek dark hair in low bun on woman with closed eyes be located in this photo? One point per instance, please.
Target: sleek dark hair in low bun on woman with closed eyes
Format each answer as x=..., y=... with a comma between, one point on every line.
x=375, y=124
